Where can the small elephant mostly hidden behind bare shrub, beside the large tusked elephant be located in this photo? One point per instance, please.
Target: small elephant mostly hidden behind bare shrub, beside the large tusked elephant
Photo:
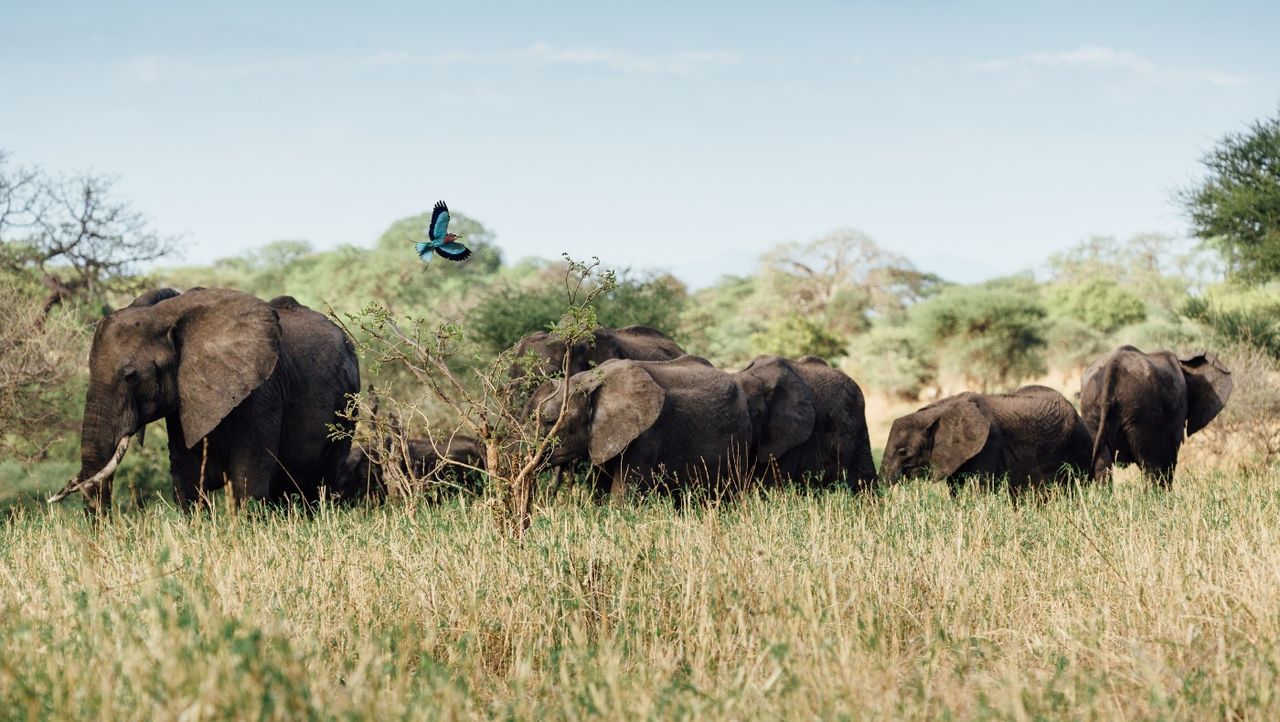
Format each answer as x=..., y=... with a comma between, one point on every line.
x=422, y=460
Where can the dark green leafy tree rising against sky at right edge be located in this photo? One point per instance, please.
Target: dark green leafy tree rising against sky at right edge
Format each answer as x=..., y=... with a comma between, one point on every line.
x=1236, y=208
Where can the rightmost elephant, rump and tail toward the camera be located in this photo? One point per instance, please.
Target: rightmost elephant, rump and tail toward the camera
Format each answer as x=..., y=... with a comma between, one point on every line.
x=1141, y=406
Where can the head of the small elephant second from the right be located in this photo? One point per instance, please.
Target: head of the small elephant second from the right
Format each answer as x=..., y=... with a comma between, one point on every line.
x=939, y=438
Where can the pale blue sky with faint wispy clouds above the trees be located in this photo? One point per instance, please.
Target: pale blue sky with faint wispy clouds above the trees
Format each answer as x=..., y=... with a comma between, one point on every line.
x=973, y=138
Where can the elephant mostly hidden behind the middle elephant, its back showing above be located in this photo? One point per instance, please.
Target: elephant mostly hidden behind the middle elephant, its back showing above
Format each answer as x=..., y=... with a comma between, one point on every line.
x=638, y=344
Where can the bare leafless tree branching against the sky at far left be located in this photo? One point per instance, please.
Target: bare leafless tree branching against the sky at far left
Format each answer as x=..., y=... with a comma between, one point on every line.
x=74, y=232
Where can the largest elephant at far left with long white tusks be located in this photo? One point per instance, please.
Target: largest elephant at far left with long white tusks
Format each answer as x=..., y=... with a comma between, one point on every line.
x=248, y=391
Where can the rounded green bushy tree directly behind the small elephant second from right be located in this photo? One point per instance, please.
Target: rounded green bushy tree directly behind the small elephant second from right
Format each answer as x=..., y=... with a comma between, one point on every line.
x=993, y=337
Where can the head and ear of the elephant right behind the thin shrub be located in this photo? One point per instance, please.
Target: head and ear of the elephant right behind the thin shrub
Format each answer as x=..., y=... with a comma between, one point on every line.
x=606, y=410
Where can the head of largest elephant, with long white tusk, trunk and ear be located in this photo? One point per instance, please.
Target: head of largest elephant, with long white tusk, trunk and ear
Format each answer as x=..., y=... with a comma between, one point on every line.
x=195, y=355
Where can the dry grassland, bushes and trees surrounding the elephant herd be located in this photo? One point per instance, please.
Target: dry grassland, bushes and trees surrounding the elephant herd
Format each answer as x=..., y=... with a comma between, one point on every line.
x=1112, y=602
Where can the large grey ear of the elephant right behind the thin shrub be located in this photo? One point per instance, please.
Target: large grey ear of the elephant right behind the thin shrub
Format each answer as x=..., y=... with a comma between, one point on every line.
x=627, y=405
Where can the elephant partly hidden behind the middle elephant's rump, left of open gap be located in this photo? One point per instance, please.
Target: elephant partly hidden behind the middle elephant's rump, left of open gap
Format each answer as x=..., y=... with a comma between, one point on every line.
x=808, y=421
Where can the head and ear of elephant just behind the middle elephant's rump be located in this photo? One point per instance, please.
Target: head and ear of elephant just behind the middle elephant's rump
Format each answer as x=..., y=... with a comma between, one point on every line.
x=781, y=406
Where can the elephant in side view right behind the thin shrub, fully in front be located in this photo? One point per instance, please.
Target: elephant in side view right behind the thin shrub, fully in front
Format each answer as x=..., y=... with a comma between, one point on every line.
x=674, y=426
